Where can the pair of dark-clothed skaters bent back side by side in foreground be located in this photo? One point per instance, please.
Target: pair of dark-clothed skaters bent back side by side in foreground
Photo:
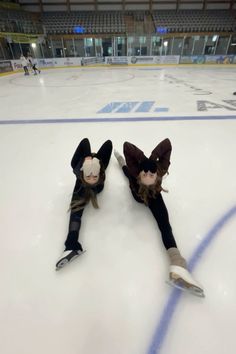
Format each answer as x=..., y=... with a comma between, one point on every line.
x=144, y=175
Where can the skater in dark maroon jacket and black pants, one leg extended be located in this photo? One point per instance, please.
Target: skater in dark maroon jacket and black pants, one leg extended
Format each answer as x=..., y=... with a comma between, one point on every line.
x=145, y=181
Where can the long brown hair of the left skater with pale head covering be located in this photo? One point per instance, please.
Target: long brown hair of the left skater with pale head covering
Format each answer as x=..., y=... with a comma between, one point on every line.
x=89, y=192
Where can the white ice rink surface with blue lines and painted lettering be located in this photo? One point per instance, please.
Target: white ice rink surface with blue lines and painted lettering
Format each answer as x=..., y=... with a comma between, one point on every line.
x=114, y=299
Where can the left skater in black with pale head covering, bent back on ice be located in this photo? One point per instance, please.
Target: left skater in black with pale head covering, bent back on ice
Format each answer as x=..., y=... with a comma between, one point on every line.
x=89, y=169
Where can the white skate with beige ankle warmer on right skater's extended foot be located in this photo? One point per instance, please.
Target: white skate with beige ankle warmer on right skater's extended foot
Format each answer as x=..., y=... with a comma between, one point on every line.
x=179, y=276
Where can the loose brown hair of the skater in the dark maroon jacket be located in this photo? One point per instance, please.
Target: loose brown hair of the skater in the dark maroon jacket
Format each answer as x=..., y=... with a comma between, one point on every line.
x=150, y=192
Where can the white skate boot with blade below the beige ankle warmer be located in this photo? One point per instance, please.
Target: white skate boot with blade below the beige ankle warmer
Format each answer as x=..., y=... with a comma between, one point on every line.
x=182, y=279
